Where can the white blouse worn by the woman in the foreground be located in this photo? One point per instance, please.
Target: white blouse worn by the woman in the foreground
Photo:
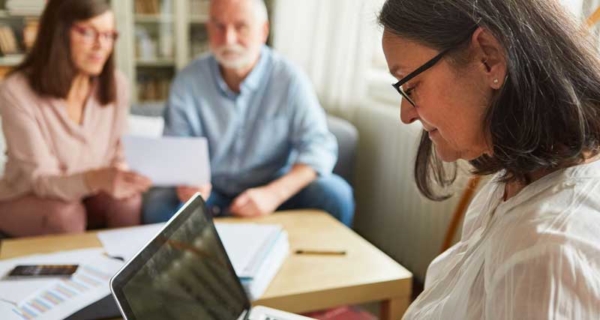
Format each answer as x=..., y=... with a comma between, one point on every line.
x=535, y=256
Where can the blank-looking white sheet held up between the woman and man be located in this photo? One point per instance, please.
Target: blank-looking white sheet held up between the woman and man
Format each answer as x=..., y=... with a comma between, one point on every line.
x=169, y=161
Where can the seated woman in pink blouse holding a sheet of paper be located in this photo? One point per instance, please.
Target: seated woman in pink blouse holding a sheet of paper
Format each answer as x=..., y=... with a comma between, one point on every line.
x=63, y=112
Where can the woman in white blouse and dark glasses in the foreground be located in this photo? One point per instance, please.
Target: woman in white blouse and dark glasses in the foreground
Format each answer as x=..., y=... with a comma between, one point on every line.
x=513, y=87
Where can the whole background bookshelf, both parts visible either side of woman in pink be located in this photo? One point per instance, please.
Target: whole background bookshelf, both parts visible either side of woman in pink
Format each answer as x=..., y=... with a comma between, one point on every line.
x=157, y=39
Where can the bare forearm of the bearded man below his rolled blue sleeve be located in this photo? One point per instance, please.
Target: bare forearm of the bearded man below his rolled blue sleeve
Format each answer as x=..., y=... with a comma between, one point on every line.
x=298, y=178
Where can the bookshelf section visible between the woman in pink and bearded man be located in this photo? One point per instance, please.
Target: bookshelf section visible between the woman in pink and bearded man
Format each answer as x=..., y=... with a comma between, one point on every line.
x=159, y=38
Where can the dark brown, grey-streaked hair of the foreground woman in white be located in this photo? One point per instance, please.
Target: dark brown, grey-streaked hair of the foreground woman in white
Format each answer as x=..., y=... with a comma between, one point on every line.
x=547, y=114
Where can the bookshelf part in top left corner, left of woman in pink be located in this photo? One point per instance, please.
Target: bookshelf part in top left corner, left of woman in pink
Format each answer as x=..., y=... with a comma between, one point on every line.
x=19, y=21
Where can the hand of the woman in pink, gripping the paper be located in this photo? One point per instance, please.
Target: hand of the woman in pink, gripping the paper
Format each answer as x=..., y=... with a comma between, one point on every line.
x=118, y=183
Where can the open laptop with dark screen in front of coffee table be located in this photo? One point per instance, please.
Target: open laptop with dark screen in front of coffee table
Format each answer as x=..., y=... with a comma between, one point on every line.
x=185, y=273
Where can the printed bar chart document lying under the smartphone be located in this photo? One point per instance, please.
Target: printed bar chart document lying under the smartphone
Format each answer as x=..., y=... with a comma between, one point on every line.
x=56, y=298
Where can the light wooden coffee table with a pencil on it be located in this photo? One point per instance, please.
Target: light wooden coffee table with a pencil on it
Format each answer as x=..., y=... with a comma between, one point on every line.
x=305, y=282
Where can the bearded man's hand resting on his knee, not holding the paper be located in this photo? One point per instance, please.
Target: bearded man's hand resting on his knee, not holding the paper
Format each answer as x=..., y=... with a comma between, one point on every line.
x=255, y=202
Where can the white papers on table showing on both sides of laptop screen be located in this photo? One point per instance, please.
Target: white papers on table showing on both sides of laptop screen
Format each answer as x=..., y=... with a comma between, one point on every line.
x=256, y=251
